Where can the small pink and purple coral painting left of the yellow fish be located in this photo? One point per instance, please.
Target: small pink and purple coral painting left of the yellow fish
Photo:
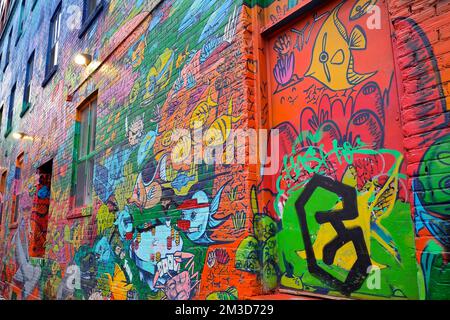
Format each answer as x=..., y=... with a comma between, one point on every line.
x=284, y=69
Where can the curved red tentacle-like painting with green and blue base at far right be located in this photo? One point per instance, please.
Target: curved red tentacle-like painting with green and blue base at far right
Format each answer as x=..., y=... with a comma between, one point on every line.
x=430, y=181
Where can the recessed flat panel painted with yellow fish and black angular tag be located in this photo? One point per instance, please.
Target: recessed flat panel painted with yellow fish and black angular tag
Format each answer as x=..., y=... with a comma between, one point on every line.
x=342, y=187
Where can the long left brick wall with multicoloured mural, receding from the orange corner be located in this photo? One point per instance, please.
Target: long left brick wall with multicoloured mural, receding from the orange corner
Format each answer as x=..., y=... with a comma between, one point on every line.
x=157, y=65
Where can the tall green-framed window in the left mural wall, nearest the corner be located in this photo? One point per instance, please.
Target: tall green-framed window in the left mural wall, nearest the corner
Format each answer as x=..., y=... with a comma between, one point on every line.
x=85, y=147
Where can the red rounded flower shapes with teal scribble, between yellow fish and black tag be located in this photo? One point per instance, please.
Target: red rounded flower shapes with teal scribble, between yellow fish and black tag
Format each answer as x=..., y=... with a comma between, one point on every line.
x=335, y=134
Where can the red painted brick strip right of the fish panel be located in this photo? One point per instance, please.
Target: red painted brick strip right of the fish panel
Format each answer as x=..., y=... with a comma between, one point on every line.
x=423, y=52
